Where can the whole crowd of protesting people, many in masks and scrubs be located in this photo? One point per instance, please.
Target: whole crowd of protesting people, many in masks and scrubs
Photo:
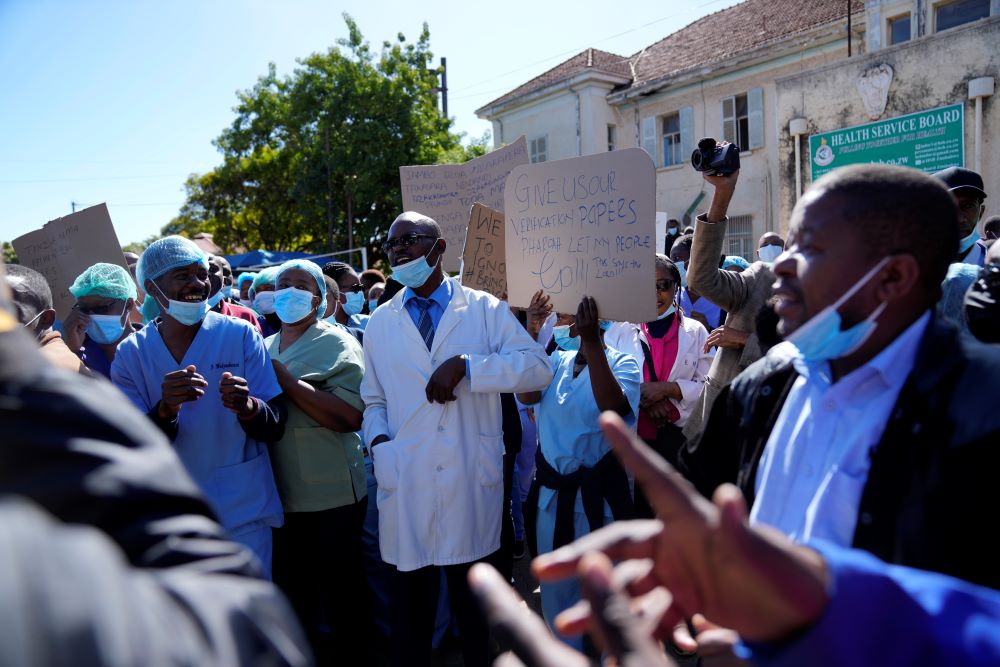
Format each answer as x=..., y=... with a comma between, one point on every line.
x=381, y=447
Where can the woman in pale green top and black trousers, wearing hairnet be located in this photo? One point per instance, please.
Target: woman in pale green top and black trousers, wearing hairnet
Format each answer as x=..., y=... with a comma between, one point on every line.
x=319, y=468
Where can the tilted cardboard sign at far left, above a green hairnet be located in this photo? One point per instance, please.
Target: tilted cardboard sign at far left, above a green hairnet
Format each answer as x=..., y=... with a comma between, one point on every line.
x=65, y=247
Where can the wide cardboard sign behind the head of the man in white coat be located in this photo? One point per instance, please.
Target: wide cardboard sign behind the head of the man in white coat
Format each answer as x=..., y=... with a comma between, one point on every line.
x=445, y=192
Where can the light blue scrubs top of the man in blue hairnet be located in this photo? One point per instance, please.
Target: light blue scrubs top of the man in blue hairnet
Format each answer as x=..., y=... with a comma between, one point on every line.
x=232, y=469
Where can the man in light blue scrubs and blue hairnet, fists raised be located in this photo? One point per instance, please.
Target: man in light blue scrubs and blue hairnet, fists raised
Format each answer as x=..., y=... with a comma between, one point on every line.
x=206, y=380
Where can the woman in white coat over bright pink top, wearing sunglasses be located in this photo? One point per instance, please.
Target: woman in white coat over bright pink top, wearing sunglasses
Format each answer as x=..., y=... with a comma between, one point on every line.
x=671, y=350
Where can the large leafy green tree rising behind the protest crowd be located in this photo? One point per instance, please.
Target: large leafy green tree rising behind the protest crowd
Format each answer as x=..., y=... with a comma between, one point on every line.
x=311, y=161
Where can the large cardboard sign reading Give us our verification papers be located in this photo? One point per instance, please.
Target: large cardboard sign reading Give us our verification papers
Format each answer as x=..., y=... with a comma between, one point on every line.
x=584, y=226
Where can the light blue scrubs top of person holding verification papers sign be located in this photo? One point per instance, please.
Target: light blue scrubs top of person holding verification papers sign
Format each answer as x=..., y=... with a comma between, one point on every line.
x=567, y=416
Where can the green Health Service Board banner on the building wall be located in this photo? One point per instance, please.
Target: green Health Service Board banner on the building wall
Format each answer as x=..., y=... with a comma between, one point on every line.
x=927, y=140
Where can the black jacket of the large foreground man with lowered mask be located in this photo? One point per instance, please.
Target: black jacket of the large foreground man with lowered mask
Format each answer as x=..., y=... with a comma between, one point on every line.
x=929, y=497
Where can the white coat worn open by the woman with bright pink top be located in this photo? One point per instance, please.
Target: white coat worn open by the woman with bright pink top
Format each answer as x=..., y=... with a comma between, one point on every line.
x=689, y=369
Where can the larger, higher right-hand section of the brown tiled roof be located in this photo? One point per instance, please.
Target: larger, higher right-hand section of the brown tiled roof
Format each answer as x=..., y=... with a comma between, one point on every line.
x=729, y=32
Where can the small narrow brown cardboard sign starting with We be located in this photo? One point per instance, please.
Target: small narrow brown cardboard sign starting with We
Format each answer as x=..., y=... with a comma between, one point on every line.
x=484, y=261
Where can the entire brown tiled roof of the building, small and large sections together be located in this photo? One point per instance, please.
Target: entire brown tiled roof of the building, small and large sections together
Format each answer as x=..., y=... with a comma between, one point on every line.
x=711, y=39
